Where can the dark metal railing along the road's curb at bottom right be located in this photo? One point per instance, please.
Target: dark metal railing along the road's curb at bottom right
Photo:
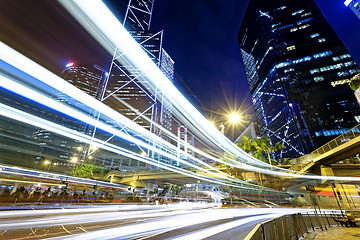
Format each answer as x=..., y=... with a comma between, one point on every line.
x=291, y=227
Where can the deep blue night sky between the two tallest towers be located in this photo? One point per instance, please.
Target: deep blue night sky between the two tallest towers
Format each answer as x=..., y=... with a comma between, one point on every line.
x=201, y=37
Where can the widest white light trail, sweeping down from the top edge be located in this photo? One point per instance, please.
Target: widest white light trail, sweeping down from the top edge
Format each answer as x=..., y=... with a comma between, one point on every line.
x=98, y=20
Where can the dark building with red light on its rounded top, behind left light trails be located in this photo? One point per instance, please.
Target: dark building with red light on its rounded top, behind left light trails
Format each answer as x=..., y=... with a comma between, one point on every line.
x=89, y=79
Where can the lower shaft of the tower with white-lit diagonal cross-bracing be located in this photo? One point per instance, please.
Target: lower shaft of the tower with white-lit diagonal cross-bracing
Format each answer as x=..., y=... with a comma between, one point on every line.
x=127, y=90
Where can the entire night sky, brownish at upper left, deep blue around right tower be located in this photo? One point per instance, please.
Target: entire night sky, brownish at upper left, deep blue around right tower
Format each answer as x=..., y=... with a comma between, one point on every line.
x=200, y=36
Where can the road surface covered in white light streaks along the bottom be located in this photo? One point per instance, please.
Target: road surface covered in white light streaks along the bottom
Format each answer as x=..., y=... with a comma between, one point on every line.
x=177, y=221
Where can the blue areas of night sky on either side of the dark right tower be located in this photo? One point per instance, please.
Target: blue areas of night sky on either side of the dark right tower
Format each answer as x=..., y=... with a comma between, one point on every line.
x=194, y=65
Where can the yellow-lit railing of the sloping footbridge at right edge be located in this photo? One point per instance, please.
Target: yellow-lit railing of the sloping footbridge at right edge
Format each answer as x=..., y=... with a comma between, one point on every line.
x=308, y=160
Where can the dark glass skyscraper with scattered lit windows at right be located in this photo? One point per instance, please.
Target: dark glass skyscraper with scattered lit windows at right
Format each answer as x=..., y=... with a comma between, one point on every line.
x=296, y=68
